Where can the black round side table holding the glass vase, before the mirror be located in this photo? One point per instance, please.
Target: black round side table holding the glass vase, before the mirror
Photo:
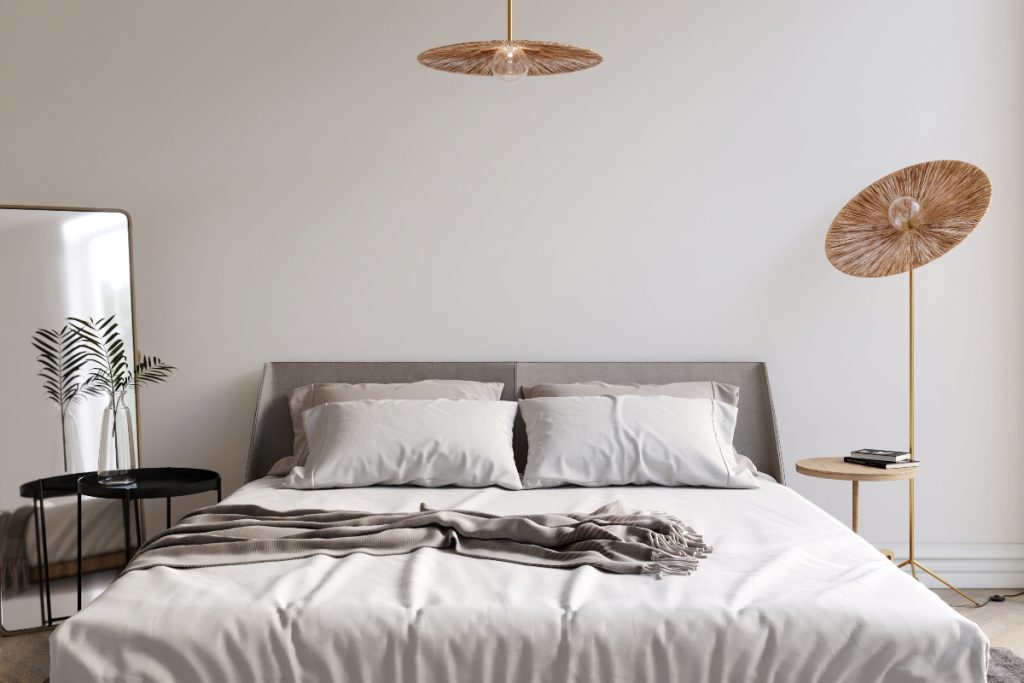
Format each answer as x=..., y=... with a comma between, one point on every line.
x=150, y=483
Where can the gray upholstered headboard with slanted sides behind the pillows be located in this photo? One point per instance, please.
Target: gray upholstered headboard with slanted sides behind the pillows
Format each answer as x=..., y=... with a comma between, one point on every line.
x=757, y=437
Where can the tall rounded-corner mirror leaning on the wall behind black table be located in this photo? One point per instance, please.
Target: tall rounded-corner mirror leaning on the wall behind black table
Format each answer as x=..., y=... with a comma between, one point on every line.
x=67, y=283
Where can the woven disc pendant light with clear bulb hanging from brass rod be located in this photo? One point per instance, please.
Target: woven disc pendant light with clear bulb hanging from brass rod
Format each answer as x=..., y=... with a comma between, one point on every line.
x=509, y=60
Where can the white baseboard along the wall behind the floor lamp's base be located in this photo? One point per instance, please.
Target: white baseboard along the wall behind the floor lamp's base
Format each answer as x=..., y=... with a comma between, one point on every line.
x=970, y=565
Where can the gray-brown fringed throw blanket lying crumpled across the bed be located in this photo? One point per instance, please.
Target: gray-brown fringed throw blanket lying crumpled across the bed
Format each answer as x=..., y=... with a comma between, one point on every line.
x=616, y=538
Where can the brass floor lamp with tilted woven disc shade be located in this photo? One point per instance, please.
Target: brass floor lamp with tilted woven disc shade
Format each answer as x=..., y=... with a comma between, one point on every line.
x=900, y=224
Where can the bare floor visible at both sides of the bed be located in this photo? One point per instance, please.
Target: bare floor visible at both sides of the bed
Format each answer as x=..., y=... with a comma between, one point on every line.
x=26, y=658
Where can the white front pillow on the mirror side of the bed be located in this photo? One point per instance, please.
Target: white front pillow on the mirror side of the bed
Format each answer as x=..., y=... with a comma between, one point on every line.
x=438, y=443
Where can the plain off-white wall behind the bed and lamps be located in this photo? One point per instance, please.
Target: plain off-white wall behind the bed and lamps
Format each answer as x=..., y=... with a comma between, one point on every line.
x=304, y=190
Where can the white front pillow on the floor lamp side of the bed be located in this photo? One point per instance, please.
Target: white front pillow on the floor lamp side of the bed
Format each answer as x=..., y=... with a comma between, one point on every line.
x=612, y=441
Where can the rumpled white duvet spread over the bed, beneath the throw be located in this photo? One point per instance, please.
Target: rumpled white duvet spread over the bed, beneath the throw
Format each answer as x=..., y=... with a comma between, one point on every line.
x=789, y=594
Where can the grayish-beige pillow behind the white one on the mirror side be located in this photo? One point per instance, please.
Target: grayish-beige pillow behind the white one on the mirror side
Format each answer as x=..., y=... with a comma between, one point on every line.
x=305, y=398
